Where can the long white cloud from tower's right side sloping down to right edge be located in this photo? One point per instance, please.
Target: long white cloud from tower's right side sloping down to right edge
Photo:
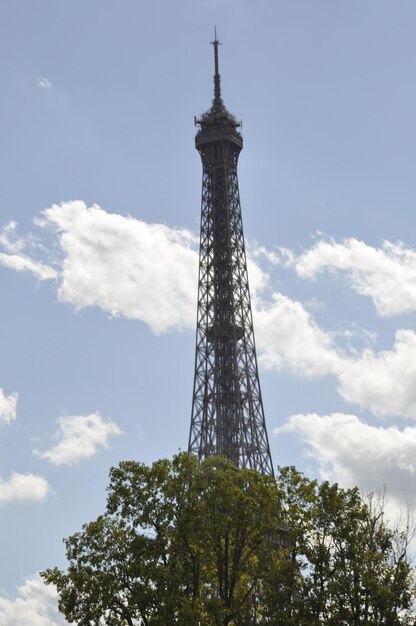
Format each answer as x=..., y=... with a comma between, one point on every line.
x=289, y=339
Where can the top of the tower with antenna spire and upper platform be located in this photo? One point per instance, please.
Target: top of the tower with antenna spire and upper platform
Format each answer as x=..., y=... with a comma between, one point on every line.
x=218, y=123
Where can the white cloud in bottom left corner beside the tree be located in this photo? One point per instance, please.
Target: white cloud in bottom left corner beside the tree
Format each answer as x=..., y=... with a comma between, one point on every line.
x=35, y=605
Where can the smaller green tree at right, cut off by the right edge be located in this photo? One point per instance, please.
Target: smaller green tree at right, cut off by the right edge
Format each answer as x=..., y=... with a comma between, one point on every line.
x=348, y=567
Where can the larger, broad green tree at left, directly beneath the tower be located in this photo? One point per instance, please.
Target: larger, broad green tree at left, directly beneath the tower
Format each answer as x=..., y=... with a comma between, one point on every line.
x=180, y=543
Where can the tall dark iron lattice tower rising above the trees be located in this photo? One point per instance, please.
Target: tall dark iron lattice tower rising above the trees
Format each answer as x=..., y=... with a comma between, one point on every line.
x=227, y=408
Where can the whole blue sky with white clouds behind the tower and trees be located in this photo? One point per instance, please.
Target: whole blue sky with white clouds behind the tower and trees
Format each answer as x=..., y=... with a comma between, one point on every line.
x=99, y=220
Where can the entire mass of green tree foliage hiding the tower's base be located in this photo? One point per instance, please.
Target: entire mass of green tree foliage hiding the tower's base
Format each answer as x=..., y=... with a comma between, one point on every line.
x=189, y=543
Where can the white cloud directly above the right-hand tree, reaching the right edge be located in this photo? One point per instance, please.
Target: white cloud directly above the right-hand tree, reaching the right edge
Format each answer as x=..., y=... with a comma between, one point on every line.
x=352, y=452
